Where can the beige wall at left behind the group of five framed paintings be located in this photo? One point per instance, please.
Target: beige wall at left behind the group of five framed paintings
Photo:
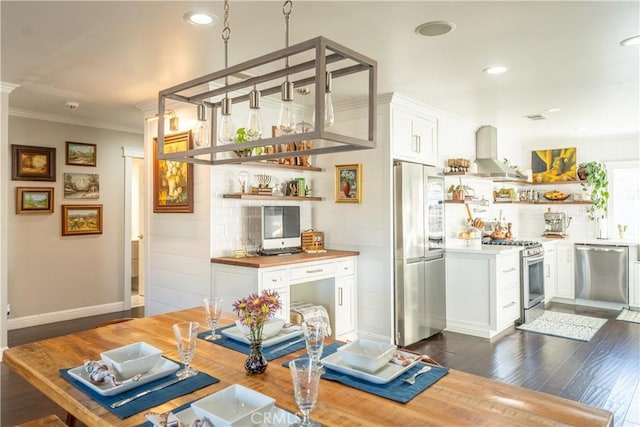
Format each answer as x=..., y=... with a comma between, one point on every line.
x=49, y=272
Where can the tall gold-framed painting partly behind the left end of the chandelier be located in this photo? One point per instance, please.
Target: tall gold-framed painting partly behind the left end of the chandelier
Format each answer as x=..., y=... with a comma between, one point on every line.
x=173, y=180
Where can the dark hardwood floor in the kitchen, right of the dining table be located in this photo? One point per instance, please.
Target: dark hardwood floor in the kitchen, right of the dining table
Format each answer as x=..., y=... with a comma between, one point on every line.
x=604, y=372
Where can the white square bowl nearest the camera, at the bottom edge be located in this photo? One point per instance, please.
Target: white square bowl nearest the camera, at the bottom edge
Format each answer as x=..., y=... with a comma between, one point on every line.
x=235, y=405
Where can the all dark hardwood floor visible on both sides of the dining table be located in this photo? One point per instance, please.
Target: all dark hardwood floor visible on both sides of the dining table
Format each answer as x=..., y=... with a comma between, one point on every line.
x=604, y=372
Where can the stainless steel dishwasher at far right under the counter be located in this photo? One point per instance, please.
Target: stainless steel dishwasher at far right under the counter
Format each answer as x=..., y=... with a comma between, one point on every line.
x=602, y=273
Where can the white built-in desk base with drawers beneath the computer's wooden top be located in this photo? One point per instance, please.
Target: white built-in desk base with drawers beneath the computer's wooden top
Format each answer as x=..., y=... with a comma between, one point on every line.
x=328, y=283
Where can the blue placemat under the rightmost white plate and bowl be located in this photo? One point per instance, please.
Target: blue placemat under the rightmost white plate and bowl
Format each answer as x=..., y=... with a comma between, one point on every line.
x=397, y=389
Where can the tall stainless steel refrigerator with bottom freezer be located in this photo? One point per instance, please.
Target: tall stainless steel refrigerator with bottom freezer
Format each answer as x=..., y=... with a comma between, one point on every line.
x=420, y=306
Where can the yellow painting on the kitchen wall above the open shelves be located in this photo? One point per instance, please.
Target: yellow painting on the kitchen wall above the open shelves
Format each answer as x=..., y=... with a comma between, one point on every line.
x=554, y=165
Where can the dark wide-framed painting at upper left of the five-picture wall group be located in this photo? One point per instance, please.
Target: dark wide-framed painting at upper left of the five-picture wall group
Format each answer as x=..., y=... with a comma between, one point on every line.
x=31, y=163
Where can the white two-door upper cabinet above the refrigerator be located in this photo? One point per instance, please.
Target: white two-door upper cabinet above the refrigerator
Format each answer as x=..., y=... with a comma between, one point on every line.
x=414, y=136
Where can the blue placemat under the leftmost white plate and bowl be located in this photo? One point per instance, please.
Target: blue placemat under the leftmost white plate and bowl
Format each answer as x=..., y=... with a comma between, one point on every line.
x=145, y=402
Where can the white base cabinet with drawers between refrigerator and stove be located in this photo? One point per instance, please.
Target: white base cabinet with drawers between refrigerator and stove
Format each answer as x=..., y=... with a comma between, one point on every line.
x=483, y=292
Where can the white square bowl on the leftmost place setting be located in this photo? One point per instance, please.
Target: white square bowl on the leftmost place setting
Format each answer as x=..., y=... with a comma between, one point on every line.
x=132, y=359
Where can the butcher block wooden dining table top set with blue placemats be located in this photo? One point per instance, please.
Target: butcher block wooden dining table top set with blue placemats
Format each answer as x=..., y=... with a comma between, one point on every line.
x=456, y=399
